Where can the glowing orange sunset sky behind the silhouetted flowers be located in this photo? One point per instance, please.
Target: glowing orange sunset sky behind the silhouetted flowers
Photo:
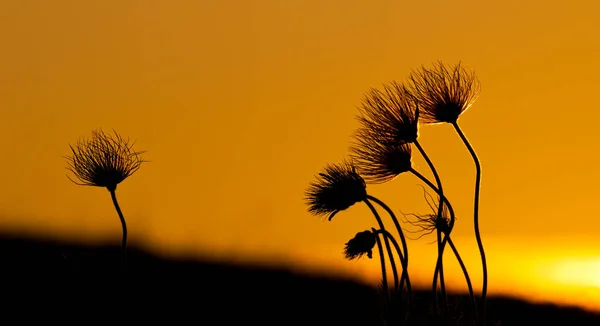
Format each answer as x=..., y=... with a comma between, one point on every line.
x=239, y=103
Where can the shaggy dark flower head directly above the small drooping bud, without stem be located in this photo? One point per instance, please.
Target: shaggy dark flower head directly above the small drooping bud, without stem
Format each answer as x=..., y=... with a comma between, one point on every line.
x=335, y=189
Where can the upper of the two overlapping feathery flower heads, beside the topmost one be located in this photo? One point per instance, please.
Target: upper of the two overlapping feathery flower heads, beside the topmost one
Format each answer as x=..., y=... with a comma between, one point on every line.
x=391, y=113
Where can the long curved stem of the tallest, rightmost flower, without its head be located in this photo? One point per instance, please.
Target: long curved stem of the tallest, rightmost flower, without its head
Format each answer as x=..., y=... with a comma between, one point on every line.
x=476, y=217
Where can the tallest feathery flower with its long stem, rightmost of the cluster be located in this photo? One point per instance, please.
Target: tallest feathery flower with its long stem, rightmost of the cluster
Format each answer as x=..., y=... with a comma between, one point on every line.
x=444, y=93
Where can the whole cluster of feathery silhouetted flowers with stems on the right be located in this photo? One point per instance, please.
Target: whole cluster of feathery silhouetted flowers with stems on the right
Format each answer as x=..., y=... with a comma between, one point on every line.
x=389, y=121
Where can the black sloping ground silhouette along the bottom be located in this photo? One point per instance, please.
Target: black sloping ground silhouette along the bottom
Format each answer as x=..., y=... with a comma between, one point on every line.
x=63, y=283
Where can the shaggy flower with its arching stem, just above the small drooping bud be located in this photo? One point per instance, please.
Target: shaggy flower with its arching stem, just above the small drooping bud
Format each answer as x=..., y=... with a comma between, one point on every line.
x=339, y=187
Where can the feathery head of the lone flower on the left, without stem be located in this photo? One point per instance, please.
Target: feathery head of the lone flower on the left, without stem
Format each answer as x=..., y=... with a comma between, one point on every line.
x=103, y=161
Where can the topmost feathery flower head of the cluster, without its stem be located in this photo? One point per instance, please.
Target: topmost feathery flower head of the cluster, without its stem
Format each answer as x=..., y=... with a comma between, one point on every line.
x=443, y=92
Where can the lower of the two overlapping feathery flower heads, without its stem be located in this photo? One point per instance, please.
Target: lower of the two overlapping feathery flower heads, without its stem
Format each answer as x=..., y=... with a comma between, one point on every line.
x=378, y=158
